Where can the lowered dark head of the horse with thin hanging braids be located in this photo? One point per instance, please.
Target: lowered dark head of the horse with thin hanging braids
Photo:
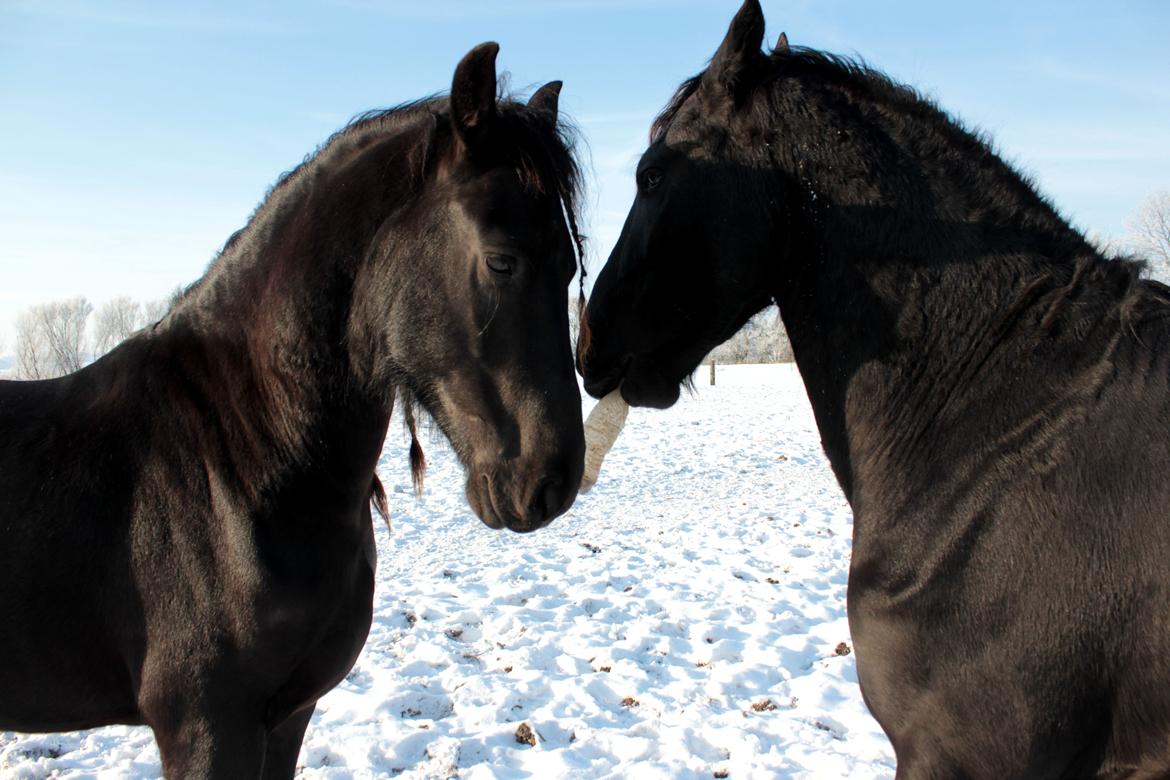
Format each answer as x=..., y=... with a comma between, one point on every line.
x=478, y=332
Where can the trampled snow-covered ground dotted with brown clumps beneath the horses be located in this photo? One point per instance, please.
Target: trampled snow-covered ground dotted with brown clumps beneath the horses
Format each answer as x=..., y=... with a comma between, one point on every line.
x=686, y=619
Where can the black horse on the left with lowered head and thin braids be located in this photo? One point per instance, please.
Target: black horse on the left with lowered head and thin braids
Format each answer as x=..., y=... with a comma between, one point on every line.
x=185, y=524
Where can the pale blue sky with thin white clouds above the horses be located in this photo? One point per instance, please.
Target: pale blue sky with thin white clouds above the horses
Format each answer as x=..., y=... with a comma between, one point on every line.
x=135, y=137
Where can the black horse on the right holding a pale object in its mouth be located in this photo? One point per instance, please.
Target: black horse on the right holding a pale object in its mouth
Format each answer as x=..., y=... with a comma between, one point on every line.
x=992, y=392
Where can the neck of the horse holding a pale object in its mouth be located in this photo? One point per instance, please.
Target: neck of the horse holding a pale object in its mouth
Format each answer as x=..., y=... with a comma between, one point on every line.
x=913, y=263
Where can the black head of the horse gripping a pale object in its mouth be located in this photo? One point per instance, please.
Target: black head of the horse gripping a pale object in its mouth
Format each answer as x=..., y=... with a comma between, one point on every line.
x=686, y=274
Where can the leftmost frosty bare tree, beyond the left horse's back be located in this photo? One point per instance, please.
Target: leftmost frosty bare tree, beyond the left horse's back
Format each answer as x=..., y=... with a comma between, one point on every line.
x=51, y=339
